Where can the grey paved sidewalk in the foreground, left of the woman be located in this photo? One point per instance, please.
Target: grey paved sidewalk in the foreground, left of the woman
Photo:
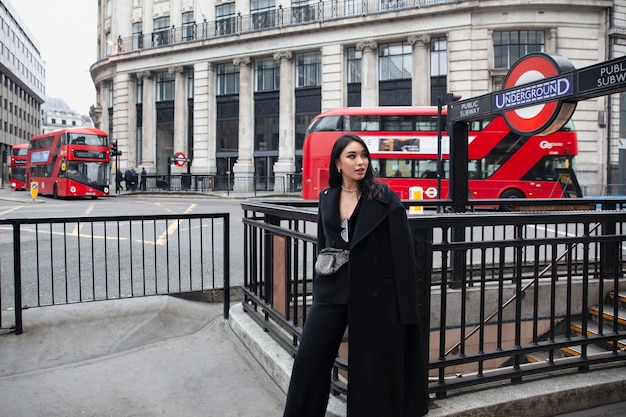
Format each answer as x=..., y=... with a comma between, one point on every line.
x=145, y=357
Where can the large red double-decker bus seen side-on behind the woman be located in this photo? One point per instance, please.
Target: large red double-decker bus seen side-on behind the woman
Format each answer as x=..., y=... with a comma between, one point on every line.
x=404, y=147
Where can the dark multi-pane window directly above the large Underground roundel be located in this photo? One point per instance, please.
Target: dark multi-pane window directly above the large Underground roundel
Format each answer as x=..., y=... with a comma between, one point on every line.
x=509, y=46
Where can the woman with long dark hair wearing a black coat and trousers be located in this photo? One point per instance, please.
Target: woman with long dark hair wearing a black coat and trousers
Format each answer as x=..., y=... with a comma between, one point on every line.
x=375, y=293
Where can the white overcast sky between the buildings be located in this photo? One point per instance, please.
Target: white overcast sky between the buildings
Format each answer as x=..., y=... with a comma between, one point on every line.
x=66, y=32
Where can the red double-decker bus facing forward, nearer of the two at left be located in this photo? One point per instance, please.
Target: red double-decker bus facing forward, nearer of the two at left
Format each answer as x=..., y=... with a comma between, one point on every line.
x=71, y=162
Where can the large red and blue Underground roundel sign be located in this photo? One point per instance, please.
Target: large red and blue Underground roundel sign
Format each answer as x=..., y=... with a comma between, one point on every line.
x=523, y=84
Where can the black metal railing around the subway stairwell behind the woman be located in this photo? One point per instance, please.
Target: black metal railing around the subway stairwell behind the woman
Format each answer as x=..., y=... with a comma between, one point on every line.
x=498, y=288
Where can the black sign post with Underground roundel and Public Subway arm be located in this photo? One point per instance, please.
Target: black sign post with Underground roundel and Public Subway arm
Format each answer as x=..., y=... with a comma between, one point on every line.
x=539, y=96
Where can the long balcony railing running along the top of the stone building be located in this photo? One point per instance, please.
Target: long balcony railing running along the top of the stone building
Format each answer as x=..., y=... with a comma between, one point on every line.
x=266, y=19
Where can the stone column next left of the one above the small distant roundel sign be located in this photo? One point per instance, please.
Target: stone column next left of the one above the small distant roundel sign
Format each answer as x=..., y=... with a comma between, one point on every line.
x=148, y=125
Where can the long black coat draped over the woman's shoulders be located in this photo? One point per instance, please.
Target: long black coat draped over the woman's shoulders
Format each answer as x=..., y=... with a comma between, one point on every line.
x=387, y=367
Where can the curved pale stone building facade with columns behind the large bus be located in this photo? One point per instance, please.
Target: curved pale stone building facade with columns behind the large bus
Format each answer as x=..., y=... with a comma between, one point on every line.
x=233, y=84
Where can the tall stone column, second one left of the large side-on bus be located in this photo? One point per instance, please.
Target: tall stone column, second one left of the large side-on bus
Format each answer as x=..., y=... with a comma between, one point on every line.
x=244, y=167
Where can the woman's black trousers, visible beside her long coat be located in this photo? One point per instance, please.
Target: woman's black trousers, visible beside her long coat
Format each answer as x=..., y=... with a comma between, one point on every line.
x=311, y=375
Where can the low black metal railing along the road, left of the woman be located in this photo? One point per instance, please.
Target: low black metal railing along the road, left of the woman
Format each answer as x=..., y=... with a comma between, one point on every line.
x=52, y=261
